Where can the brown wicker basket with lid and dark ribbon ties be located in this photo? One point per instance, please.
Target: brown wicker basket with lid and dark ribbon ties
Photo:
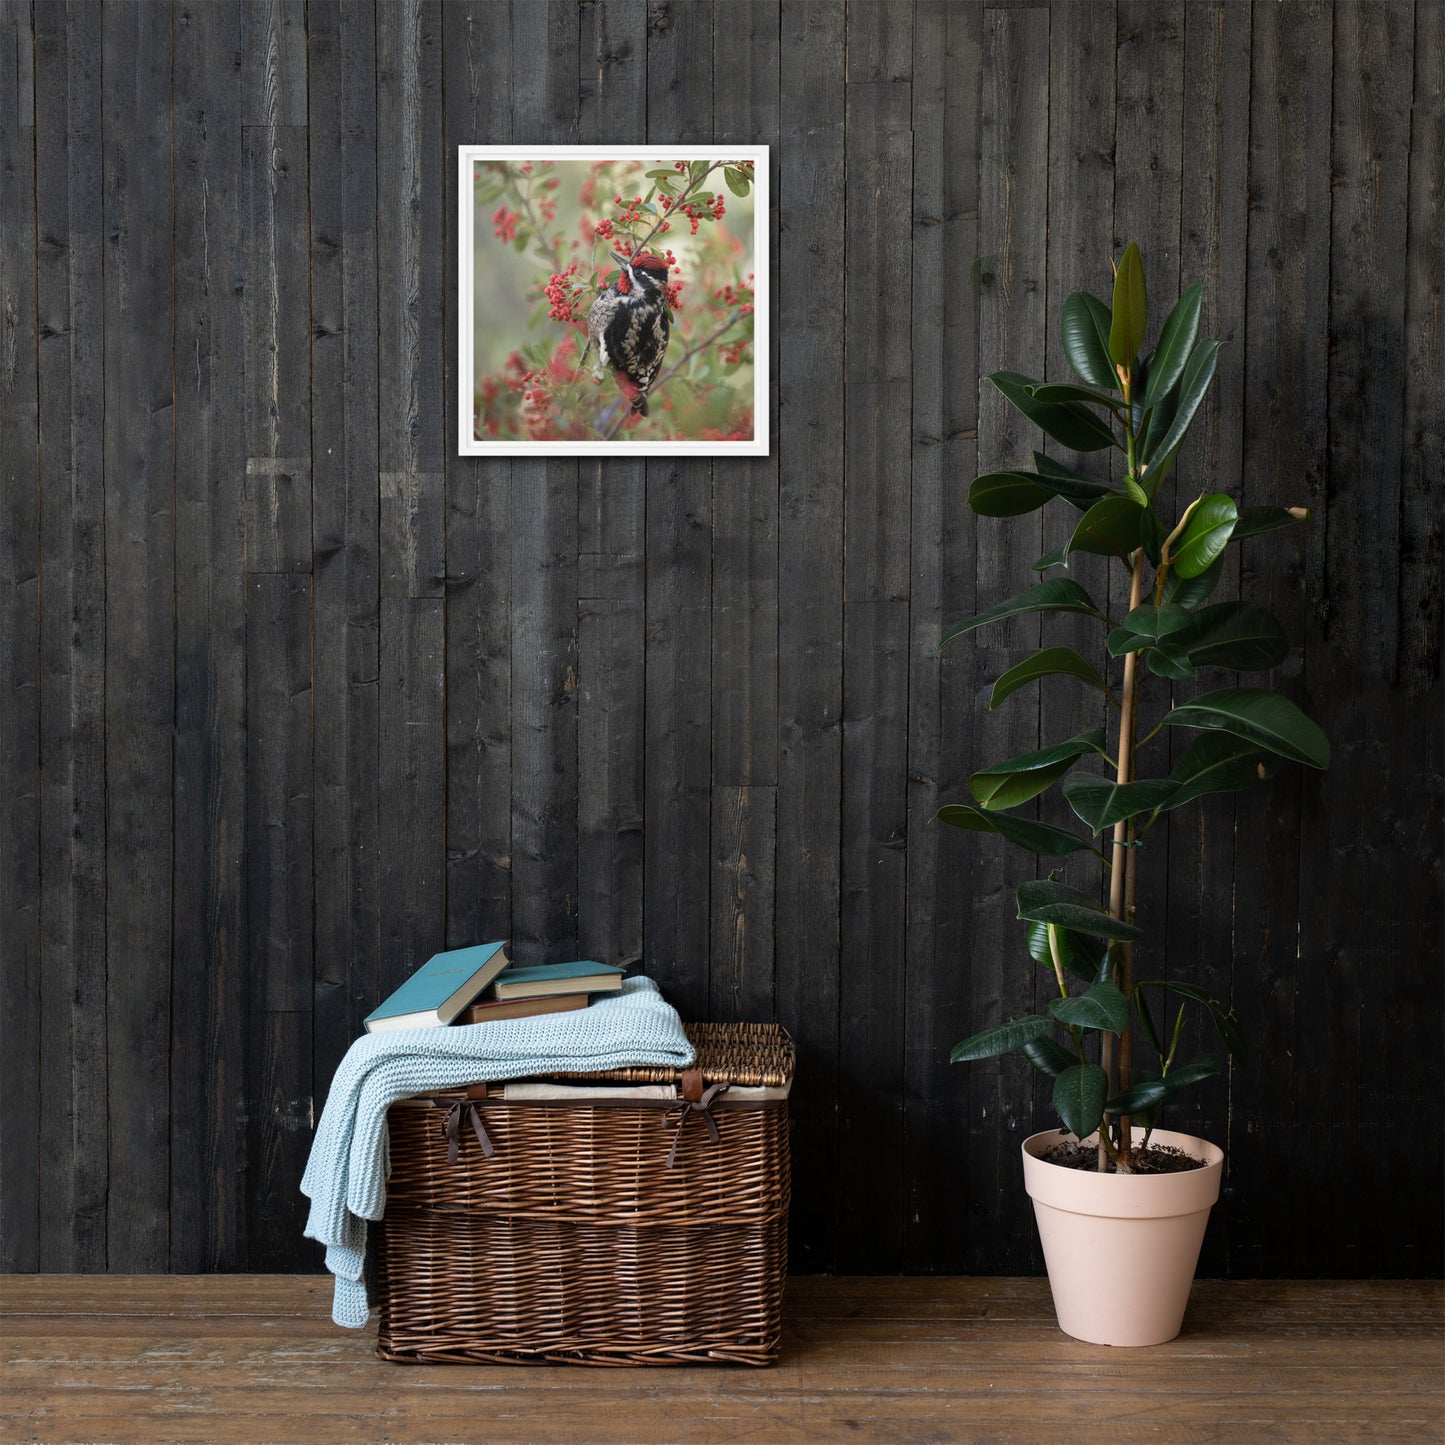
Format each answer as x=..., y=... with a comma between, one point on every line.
x=629, y=1232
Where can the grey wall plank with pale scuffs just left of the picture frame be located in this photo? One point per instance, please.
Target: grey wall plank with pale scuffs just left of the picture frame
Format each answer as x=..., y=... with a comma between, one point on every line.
x=411, y=298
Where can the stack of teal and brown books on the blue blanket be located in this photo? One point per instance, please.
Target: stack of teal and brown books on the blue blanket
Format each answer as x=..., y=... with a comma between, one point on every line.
x=479, y=985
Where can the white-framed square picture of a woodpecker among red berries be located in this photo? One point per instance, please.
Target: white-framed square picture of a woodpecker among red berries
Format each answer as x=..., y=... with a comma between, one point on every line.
x=613, y=301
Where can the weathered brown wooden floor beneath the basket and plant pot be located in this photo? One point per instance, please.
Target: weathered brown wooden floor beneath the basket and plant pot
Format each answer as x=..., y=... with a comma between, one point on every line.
x=160, y=1360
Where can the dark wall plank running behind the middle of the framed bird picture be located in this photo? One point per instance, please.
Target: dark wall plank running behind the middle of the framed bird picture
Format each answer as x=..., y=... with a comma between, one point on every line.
x=612, y=512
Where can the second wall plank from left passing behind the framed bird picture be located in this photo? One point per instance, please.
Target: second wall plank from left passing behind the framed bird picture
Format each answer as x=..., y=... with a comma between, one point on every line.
x=545, y=583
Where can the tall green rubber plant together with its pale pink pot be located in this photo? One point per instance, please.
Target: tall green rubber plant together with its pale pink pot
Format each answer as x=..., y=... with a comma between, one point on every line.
x=1122, y=1204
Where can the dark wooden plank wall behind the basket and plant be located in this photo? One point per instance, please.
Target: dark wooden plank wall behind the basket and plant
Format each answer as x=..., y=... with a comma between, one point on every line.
x=294, y=697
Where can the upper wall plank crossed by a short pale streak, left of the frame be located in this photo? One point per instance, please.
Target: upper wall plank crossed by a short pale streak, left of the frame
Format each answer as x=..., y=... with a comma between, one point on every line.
x=278, y=346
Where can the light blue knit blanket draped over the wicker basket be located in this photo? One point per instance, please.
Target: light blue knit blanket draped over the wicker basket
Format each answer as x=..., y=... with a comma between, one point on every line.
x=349, y=1167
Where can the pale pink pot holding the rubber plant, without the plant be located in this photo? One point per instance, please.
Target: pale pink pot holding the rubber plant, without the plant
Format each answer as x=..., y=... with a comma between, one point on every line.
x=1122, y=1249
